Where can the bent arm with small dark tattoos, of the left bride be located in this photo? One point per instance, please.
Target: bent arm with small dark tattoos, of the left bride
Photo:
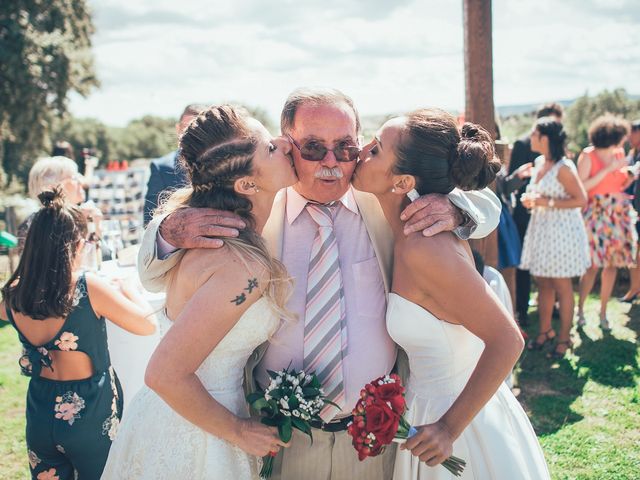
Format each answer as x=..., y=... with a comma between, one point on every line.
x=209, y=315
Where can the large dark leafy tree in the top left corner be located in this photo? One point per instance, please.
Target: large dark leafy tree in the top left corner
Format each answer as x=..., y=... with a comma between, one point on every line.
x=45, y=53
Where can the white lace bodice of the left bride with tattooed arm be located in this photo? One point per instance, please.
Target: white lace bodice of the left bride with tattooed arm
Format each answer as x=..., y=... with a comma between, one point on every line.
x=222, y=371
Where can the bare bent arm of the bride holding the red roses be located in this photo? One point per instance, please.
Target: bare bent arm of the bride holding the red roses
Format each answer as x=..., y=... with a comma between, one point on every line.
x=445, y=274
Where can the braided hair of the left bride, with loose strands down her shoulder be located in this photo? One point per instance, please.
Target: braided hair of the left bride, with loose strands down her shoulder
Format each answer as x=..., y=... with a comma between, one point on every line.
x=216, y=149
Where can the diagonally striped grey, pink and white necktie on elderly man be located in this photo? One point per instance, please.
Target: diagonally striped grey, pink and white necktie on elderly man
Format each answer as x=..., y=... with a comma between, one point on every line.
x=325, y=332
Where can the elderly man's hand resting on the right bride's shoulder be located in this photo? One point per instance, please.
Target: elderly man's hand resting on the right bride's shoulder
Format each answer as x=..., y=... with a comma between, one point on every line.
x=432, y=213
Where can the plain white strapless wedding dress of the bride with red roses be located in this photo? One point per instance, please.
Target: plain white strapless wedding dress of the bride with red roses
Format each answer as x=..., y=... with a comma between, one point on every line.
x=499, y=443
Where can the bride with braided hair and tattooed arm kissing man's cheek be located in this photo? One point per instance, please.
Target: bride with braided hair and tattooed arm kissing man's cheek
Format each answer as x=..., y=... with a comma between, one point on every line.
x=192, y=421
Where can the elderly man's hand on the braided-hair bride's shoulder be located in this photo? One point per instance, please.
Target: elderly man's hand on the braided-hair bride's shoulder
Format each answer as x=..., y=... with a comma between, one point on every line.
x=193, y=227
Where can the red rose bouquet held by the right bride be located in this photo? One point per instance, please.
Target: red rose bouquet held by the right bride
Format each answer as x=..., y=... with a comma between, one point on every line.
x=378, y=420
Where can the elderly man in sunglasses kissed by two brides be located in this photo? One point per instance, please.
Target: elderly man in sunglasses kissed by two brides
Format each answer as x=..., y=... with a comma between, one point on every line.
x=323, y=127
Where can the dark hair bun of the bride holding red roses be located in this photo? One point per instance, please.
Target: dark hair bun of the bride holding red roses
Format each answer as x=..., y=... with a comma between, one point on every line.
x=474, y=164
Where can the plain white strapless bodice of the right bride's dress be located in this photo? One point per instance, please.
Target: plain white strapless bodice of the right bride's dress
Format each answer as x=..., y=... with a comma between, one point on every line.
x=442, y=355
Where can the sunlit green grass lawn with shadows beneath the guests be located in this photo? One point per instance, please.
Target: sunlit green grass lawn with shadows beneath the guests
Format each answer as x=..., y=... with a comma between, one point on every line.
x=585, y=408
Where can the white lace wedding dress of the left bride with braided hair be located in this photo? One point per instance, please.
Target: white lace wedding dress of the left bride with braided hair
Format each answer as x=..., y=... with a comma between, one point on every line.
x=155, y=442
